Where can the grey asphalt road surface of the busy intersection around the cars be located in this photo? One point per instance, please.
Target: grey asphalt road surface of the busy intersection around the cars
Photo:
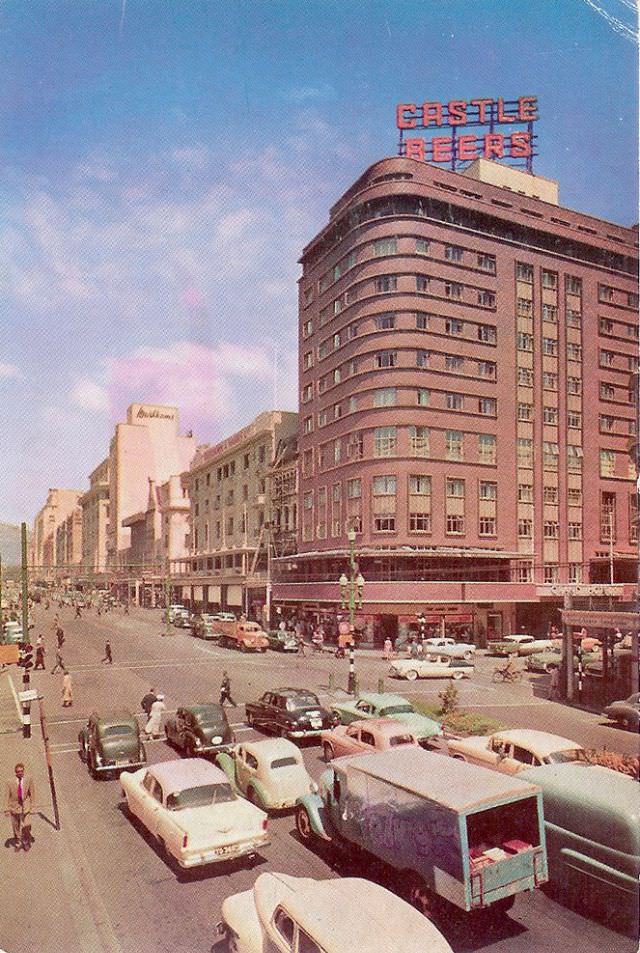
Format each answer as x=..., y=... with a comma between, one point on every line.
x=135, y=900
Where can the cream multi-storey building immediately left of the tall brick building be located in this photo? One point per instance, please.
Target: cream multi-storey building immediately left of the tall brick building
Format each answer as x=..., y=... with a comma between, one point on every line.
x=229, y=488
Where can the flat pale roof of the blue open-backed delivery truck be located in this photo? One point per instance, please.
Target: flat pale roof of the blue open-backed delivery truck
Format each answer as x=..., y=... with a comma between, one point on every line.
x=454, y=784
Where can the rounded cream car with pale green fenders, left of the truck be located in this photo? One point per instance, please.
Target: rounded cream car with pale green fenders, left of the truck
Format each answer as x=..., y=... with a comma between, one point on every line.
x=269, y=773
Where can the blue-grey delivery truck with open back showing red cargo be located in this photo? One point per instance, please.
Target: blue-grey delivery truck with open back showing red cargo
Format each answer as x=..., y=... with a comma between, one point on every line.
x=453, y=833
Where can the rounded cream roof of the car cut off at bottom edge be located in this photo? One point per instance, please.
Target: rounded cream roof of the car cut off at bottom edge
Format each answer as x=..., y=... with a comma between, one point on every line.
x=325, y=909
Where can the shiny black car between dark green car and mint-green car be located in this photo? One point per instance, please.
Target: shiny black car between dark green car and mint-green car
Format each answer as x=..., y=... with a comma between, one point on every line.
x=290, y=713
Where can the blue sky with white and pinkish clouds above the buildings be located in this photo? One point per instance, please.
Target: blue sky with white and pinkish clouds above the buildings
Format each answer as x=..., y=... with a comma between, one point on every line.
x=163, y=162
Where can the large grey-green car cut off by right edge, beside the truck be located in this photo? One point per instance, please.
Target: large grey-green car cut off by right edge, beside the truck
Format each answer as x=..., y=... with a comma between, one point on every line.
x=593, y=839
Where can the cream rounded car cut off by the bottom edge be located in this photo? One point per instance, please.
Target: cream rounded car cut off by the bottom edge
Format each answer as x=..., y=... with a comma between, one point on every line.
x=282, y=912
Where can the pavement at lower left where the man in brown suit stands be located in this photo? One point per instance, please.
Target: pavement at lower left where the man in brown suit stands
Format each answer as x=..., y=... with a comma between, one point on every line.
x=50, y=903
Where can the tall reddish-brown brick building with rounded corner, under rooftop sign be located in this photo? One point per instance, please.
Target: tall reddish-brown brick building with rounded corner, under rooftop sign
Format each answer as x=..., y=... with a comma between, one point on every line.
x=466, y=349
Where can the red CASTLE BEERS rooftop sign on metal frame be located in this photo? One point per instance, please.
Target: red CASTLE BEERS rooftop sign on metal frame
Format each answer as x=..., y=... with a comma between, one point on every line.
x=451, y=143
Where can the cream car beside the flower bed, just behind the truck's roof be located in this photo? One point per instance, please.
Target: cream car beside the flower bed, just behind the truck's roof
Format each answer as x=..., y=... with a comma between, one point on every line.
x=512, y=750
